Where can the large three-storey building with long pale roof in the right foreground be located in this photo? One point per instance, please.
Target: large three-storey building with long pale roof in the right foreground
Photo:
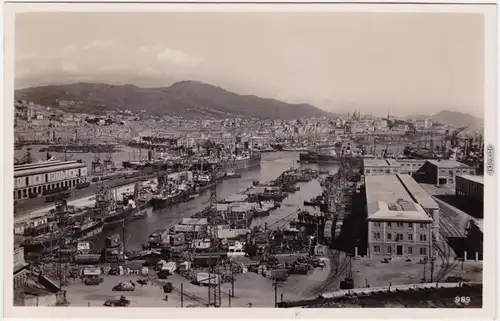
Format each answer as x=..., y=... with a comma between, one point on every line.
x=397, y=225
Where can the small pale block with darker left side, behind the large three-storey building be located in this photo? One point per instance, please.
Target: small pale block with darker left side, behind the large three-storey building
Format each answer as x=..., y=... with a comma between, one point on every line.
x=443, y=172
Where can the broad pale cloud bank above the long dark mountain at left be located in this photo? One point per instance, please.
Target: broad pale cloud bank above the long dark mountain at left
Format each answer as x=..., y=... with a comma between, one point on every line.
x=94, y=58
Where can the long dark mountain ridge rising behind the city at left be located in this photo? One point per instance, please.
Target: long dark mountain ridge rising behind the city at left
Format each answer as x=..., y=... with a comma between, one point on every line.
x=185, y=98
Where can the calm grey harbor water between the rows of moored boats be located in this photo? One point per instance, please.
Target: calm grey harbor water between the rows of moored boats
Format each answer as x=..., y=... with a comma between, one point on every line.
x=273, y=164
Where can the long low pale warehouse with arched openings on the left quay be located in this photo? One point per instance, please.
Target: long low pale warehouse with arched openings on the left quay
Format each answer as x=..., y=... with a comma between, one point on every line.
x=35, y=178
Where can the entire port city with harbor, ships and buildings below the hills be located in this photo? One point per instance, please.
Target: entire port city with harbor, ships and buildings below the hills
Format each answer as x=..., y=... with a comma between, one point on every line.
x=355, y=211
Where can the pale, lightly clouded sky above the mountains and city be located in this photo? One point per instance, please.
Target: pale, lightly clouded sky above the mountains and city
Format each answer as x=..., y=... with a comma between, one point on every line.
x=405, y=63
